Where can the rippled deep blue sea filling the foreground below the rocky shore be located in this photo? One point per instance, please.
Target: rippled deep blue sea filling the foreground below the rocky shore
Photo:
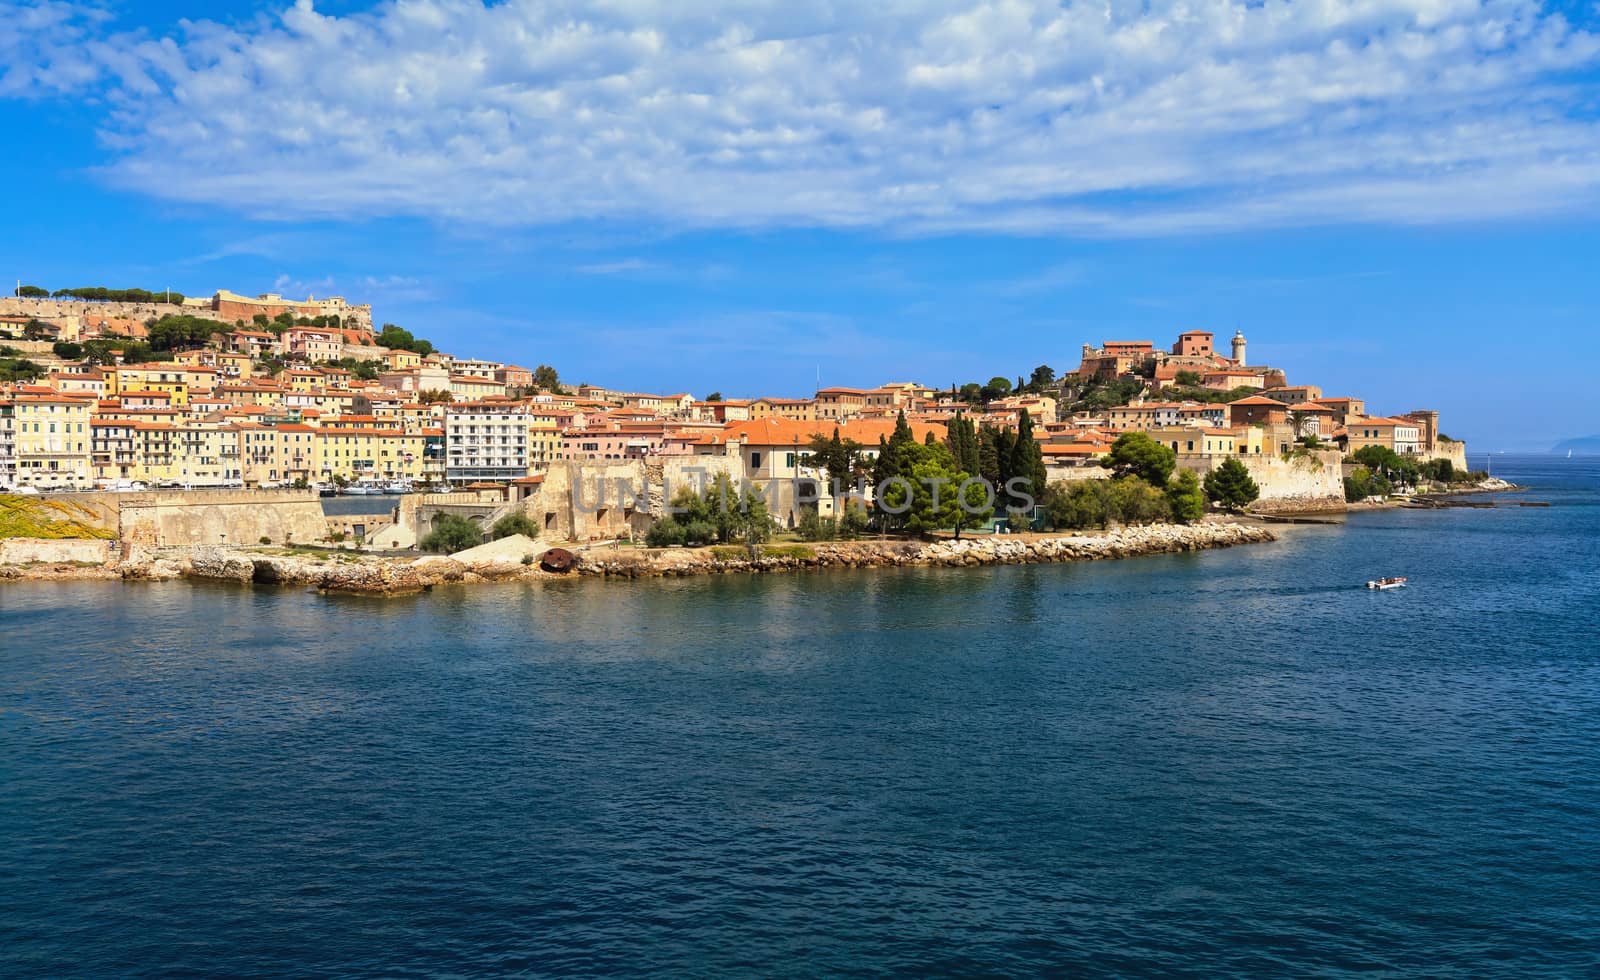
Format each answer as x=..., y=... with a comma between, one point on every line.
x=1220, y=765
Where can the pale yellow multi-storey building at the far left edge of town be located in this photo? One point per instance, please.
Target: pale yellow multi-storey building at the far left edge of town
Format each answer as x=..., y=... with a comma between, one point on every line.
x=46, y=441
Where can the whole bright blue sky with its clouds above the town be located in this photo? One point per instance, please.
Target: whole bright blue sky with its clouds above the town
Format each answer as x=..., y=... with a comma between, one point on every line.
x=1393, y=199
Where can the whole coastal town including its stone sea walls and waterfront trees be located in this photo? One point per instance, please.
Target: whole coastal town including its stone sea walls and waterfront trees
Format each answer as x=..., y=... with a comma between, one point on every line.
x=265, y=403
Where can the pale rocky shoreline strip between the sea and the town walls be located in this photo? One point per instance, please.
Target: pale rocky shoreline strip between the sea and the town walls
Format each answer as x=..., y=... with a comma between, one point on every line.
x=374, y=576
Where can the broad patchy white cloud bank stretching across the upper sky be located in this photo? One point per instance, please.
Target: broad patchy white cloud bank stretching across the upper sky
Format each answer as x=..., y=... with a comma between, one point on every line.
x=916, y=116
